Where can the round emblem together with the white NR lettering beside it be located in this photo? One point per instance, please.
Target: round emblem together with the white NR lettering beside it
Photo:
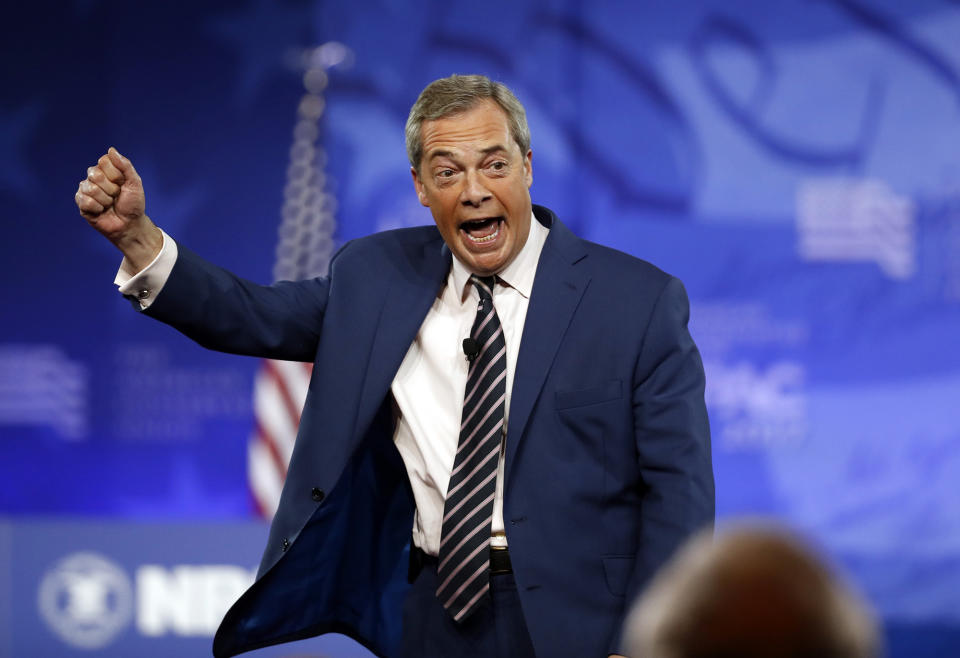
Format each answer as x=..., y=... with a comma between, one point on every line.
x=87, y=600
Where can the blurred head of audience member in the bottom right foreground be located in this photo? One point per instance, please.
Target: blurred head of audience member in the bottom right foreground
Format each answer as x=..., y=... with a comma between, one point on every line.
x=753, y=591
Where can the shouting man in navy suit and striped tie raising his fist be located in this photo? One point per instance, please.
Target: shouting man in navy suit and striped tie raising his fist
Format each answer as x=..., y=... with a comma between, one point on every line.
x=604, y=463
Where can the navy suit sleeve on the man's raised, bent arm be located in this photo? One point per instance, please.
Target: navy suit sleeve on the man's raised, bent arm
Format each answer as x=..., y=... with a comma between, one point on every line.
x=224, y=312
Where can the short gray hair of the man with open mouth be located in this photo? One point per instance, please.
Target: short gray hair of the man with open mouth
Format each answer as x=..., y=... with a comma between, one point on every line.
x=459, y=93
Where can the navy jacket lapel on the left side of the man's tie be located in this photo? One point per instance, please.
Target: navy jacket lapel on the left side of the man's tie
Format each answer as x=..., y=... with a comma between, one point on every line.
x=409, y=296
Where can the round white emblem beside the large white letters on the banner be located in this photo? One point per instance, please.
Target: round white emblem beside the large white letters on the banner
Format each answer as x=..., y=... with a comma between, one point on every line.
x=86, y=599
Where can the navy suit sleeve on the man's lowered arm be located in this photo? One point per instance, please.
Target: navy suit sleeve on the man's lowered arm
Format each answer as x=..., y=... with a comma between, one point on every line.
x=672, y=438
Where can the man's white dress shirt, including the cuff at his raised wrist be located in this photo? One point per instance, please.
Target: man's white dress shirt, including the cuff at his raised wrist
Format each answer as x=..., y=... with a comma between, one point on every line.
x=428, y=388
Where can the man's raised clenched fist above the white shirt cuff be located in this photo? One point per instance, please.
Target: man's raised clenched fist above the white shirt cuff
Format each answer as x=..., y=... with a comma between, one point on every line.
x=111, y=199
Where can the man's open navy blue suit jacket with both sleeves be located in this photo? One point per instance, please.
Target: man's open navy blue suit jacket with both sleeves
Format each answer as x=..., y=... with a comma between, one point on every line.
x=608, y=465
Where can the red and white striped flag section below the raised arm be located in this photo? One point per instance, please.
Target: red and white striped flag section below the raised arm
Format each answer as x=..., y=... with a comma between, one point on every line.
x=279, y=391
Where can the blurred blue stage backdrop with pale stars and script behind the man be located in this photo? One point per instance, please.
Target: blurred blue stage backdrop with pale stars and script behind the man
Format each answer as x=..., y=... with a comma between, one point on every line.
x=796, y=163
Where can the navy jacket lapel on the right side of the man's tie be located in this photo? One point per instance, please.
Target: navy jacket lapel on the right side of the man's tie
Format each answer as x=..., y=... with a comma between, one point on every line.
x=557, y=290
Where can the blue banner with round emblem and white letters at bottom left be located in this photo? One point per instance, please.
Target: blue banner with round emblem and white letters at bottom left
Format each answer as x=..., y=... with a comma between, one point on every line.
x=87, y=588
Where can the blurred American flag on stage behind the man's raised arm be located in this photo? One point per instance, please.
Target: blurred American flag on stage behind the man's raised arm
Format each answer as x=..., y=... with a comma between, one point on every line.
x=304, y=247
